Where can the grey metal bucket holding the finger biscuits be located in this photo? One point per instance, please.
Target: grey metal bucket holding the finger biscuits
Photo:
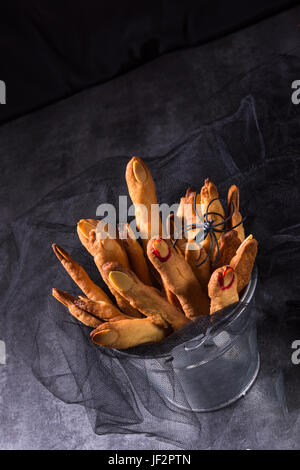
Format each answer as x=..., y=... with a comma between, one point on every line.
x=212, y=370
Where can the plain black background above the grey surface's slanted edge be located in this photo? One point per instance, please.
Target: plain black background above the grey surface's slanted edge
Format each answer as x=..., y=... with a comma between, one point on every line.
x=52, y=49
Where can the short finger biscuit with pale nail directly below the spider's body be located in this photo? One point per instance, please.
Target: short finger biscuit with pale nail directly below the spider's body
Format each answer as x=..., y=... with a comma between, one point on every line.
x=195, y=255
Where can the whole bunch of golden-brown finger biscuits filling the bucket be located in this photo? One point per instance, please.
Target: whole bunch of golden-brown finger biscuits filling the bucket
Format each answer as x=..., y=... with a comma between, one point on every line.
x=171, y=278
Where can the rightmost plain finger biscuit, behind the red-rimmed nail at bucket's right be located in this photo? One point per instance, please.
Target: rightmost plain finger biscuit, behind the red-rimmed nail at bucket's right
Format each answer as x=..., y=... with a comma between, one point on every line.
x=243, y=261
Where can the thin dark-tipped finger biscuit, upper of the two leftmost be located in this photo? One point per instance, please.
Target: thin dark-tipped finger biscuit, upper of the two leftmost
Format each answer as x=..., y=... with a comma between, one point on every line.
x=79, y=276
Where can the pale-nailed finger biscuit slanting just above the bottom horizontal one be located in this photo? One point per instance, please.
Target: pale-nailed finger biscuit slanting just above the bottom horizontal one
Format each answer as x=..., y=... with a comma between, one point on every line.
x=146, y=299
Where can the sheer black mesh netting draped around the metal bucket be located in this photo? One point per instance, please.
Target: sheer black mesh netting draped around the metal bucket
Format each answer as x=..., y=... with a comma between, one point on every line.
x=256, y=148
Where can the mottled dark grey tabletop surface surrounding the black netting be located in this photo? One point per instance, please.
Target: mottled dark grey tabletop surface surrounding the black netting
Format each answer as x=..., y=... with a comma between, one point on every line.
x=176, y=93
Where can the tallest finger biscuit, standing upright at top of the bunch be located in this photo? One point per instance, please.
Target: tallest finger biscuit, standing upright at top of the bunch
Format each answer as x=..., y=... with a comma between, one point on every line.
x=141, y=188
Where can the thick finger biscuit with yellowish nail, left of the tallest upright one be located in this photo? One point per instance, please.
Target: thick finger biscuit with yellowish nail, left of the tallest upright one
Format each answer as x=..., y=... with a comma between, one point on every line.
x=103, y=251
